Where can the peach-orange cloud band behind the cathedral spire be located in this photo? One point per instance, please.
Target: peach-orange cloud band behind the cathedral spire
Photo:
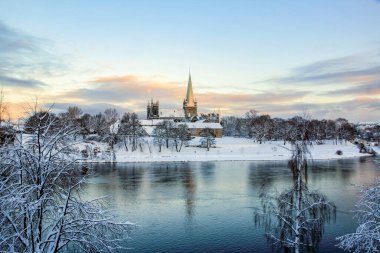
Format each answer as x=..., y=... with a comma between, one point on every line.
x=137, y=91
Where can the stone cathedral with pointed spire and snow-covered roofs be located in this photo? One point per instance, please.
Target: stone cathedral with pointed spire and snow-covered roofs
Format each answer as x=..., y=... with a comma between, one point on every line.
x=189, y=116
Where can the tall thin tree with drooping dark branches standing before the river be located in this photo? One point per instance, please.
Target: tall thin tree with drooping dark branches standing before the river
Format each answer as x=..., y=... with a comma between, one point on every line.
x=295, y=217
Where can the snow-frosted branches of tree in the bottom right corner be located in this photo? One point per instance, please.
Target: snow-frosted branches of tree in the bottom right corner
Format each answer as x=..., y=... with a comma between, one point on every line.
x=366, y=238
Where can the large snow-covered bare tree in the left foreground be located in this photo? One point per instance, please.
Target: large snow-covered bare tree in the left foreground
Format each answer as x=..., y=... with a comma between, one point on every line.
x=40, y=205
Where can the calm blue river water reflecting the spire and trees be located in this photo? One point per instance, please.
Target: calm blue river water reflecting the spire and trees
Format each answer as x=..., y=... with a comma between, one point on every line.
x=209, y=206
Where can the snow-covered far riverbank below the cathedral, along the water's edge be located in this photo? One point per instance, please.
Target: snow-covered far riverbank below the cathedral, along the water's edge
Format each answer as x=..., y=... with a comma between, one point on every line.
x=226, y=149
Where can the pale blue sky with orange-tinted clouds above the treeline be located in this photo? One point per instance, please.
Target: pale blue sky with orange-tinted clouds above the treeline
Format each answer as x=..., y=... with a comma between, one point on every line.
x=280, y=58
